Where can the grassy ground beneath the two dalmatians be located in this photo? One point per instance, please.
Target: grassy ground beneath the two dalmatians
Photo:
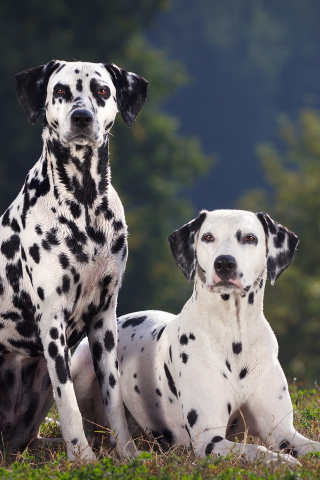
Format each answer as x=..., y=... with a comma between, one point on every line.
x=179, y=463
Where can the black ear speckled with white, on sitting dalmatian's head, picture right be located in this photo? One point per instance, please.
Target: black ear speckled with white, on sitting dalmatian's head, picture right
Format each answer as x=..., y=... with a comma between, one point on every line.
x=131, y=92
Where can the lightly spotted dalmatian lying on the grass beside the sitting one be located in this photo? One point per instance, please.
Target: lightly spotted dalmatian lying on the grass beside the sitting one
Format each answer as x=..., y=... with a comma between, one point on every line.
x=211, y=373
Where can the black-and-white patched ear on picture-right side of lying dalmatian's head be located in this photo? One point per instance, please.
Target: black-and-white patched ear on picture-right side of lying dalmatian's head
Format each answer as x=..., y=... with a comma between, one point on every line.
x=281, y=244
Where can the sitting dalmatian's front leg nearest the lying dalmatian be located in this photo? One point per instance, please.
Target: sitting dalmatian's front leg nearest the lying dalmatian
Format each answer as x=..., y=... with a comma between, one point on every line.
x=103, y=345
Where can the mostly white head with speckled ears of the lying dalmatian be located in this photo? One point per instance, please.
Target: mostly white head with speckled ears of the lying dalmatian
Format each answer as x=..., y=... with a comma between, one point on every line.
x=230, y=249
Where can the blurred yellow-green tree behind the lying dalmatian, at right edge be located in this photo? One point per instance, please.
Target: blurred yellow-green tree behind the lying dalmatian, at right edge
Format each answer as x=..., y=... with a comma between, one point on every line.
x=292, y=306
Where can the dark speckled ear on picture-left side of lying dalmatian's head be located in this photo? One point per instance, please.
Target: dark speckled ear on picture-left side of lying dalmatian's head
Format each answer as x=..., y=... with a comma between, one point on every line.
x=182, y=245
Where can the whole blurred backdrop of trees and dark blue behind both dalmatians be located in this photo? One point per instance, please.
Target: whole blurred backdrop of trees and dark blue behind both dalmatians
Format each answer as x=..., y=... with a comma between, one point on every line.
x=231, y=121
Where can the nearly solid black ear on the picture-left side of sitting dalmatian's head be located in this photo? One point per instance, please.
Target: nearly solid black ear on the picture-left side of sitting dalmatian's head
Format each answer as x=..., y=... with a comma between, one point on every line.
x=32, y=89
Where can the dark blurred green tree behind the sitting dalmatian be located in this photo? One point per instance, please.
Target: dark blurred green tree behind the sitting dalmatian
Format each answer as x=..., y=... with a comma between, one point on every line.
x=151, y=164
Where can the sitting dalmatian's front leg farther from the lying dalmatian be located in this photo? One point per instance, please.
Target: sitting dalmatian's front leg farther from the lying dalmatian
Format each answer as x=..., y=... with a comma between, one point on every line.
x=56, y=352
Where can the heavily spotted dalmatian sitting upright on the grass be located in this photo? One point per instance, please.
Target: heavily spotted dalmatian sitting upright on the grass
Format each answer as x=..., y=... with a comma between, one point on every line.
x=63, y=254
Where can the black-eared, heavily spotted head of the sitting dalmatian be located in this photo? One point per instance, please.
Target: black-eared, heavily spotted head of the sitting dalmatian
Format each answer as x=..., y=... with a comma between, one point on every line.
x=81, y=99
